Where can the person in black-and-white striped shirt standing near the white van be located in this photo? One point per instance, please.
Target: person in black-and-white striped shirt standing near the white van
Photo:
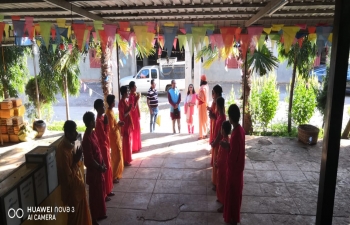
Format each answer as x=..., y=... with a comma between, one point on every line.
x=152, y=102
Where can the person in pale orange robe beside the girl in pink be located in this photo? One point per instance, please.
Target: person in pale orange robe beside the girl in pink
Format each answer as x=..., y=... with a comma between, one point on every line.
x=202, y=98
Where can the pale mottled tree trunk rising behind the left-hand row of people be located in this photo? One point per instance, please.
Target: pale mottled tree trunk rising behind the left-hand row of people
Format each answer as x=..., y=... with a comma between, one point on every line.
x=106, y=73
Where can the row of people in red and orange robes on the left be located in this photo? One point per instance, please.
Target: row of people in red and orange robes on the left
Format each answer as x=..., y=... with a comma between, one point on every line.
x=107, y=147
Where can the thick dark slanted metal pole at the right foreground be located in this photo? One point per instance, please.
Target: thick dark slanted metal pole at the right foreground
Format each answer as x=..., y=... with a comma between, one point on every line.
x=334, y=112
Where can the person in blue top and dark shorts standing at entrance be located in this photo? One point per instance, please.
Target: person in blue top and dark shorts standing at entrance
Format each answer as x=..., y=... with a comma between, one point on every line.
x=174, y=98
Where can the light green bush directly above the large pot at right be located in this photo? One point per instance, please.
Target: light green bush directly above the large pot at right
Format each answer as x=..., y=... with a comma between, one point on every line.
x=304, y=100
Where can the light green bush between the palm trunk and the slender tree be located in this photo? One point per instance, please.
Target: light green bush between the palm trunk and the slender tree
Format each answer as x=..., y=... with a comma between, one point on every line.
x=264, y=100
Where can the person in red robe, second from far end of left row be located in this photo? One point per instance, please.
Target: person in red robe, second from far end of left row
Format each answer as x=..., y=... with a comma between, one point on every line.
x=124, y=115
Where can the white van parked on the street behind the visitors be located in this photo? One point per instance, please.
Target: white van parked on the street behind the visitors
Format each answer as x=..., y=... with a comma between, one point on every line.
x=162, y=75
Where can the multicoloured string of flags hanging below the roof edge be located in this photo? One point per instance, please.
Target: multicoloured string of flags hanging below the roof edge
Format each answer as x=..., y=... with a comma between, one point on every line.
x=190, y=37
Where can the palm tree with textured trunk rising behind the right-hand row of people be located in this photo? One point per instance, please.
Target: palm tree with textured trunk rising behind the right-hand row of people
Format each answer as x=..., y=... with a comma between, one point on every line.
x=261, y=61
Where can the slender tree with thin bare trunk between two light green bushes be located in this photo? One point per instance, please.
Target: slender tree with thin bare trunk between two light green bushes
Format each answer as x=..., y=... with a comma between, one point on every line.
x=301, y=59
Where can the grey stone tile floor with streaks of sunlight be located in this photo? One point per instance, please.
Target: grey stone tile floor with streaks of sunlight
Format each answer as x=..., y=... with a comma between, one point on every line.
x=169, y=182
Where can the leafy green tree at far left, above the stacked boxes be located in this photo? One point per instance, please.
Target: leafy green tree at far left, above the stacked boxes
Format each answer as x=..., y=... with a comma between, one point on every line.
x=13, y=70
